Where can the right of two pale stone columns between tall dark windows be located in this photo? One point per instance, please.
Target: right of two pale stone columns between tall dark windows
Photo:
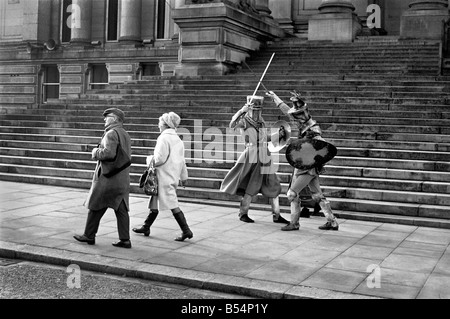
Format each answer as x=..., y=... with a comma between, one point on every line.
x=130, y=21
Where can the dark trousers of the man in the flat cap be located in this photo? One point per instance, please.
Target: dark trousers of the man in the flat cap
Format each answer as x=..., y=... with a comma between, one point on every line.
x=123, y=222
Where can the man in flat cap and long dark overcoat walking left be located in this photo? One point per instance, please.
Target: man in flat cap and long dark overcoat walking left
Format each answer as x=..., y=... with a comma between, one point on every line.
x=109, y=192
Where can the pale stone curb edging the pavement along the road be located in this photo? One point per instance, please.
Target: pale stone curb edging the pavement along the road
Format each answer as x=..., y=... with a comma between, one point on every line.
x=195, y=279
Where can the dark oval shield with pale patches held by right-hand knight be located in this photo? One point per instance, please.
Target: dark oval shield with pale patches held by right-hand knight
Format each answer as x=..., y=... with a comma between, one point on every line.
x=308, y=153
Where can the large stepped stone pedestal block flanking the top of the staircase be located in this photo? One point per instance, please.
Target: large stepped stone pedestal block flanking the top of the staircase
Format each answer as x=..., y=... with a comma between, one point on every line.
x=215, y=38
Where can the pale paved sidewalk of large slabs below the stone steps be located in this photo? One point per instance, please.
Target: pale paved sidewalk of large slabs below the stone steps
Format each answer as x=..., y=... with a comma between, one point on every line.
x=361, y=260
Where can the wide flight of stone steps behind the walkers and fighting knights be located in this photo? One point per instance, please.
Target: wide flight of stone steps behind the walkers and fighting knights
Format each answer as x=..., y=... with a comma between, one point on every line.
x=381, y=101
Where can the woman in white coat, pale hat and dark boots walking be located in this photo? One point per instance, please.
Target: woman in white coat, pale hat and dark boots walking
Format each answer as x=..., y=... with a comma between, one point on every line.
x=170, y=164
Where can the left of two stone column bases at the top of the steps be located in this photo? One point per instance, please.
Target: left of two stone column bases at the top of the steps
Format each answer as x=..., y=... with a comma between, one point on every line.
x=336, y=21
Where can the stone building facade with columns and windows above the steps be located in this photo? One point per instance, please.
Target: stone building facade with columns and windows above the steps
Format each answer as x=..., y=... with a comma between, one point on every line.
x=57, y=48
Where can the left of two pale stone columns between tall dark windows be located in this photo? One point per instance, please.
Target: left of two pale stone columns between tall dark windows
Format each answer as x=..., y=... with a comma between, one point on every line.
x=81, y=22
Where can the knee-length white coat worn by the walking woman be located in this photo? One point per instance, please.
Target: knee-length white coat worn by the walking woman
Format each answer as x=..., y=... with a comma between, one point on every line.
x=170, y=168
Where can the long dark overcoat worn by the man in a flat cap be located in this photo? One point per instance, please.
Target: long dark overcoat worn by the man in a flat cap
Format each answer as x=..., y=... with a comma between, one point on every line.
x=110, y=192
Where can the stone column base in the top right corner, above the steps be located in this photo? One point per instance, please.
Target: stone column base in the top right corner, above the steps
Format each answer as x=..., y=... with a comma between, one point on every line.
x=424, y=20
